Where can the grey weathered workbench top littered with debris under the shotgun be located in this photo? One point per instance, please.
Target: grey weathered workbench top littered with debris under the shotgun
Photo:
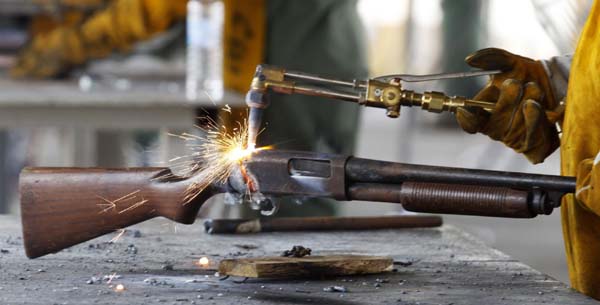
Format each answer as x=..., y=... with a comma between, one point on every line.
x=156, y=264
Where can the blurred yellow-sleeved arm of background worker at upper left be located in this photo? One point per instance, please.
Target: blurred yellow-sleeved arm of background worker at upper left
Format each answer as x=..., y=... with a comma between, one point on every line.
x=115, y=28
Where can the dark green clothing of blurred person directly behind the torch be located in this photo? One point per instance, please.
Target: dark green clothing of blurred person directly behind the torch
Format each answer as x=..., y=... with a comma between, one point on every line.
x=322, y=37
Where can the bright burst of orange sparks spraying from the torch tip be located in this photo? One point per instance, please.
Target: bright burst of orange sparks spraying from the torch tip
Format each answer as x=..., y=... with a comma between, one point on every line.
x=215, y=154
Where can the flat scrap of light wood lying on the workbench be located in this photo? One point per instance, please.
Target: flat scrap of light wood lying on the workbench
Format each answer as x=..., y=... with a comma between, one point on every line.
x=308, y=266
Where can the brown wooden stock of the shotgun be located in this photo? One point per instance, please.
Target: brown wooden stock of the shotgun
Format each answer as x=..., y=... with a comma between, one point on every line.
x=61, y=207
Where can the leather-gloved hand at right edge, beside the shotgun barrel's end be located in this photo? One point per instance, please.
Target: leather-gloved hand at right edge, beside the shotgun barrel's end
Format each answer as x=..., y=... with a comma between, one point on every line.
x=588, y=183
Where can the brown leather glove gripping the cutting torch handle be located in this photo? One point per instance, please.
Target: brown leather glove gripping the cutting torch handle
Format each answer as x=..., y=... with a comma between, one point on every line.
x=526, y=109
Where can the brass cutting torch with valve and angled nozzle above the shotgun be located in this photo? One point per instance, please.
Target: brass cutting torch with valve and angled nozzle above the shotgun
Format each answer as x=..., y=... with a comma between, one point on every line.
x=381, y=92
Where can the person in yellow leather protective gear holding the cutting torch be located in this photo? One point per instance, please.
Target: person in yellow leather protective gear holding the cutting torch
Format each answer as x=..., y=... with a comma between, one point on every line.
x=531, y=97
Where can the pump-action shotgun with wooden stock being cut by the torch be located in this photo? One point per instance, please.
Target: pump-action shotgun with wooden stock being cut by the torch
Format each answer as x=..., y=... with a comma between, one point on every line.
x=61, y=207
